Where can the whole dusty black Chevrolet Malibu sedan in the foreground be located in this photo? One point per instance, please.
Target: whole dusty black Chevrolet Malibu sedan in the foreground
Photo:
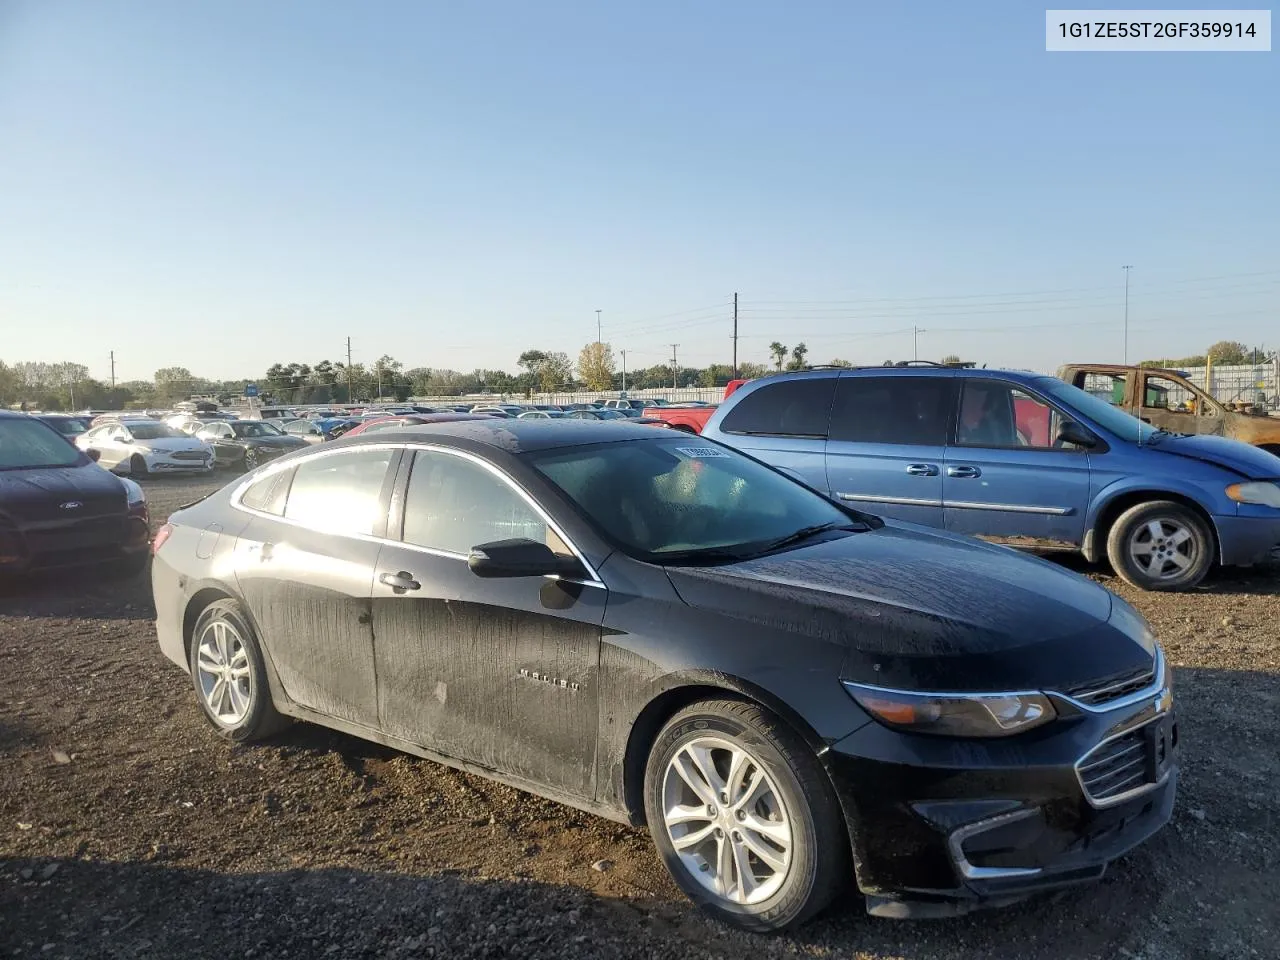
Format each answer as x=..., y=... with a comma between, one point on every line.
x=661, y=630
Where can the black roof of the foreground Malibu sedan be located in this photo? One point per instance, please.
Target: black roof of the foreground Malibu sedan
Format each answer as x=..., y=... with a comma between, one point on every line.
x=511, y=436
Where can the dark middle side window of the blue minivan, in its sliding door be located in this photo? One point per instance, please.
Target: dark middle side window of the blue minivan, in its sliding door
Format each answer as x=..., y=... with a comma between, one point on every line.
x=907, y=410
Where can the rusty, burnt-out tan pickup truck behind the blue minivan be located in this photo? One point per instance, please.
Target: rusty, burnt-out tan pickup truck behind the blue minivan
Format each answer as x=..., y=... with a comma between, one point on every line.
x=1168, y=400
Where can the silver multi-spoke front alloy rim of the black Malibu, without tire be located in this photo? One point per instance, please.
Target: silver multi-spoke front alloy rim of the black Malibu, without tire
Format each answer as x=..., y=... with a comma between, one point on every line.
x=726, y=821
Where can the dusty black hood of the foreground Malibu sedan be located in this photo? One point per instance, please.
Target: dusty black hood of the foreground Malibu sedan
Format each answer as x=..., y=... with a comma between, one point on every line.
x=925, y=610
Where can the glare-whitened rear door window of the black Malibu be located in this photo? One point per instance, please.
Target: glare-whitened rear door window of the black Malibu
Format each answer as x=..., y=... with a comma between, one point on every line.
x=340, y=493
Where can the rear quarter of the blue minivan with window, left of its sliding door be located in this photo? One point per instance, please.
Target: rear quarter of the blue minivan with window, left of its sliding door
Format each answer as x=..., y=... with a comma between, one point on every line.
x=784, y=423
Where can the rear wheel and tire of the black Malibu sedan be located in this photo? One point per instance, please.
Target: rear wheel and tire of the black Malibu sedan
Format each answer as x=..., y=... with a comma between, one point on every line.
x=244, y=708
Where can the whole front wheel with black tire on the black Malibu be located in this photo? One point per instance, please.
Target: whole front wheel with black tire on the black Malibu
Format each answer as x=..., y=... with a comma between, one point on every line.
x=799, y=871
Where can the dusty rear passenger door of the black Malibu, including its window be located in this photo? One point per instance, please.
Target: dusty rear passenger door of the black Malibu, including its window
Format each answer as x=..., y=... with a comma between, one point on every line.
x=308, y=578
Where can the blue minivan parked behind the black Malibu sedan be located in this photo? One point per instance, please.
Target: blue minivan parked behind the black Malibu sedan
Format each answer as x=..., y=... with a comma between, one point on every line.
x=1016, y=455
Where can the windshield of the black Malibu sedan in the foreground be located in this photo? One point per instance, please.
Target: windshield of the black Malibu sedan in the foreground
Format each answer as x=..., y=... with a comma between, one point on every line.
x=683, y=501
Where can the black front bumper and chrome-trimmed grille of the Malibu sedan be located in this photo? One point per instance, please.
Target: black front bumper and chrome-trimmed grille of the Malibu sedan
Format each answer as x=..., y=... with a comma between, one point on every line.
x=944, y=826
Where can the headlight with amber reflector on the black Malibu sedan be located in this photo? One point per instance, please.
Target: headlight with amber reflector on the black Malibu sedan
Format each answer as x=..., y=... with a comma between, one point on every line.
x=954, y=715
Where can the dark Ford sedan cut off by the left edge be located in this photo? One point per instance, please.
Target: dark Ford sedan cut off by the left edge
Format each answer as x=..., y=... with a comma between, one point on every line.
x=58, y=509
